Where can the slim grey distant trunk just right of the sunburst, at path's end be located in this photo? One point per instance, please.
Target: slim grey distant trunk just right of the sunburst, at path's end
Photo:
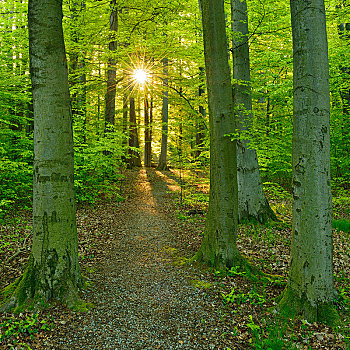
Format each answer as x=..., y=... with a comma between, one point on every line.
x=162, y=164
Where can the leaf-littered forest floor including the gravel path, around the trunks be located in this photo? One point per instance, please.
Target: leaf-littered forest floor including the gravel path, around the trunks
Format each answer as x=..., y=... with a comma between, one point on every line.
x=133, y=255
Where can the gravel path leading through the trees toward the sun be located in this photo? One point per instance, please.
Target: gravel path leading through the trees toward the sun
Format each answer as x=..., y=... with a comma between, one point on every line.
x=142, y=300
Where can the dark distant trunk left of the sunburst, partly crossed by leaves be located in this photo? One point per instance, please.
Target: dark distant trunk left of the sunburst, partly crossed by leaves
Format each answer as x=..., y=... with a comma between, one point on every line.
x=111, y=72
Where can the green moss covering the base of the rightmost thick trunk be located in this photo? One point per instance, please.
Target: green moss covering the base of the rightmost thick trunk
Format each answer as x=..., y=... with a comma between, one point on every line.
x=292, y=305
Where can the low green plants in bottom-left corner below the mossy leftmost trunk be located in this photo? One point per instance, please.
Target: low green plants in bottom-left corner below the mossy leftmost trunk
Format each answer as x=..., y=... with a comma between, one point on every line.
x=13, y=327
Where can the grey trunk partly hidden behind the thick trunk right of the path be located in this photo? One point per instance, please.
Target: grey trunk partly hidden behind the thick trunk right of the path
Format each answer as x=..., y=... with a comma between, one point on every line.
x=252, y=203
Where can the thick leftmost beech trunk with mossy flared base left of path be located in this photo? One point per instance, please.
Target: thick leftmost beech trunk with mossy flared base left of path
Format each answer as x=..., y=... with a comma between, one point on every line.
x=53, y=270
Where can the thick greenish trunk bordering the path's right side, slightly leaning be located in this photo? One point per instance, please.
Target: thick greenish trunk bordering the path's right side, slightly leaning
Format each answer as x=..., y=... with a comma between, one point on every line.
x=219, y=242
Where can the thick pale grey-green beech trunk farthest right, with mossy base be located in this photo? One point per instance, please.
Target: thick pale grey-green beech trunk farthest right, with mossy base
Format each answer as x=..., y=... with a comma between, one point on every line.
x=310, y=289
